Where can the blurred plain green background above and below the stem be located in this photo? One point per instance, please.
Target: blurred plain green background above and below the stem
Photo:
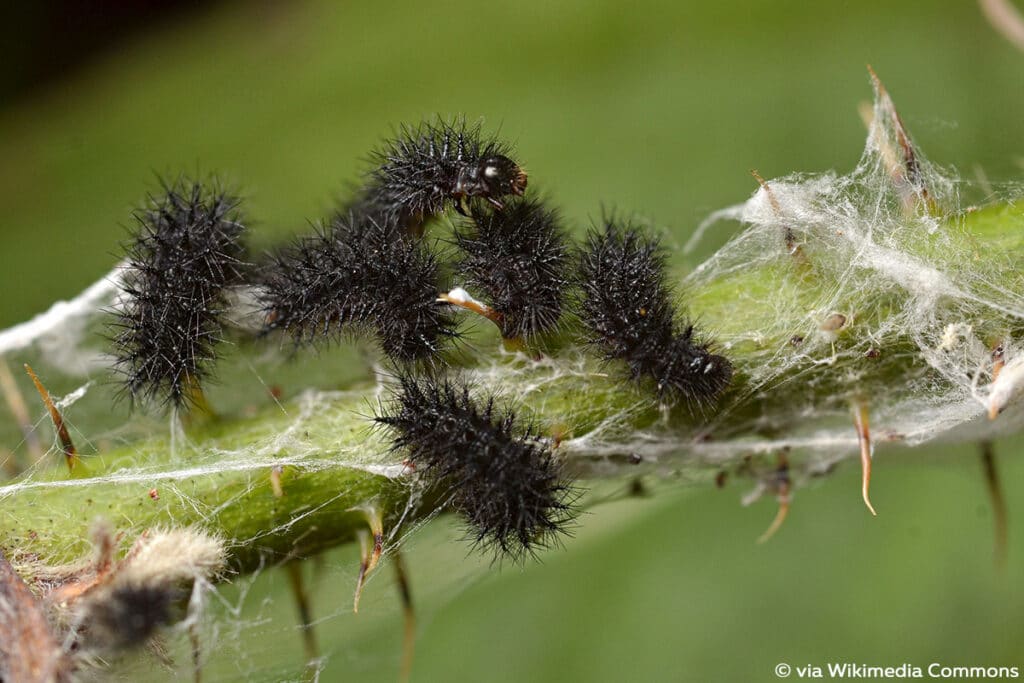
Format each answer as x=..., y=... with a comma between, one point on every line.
x=658, y=108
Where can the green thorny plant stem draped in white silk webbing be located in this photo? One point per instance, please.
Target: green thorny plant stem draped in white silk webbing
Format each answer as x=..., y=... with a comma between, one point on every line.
x=332, y=462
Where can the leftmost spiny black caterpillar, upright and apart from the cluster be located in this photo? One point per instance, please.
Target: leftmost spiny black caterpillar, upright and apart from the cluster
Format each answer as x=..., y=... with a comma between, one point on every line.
x=187, y=251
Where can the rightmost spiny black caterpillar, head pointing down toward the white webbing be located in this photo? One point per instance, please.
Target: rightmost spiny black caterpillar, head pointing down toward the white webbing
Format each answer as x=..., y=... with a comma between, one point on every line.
x=627, y=310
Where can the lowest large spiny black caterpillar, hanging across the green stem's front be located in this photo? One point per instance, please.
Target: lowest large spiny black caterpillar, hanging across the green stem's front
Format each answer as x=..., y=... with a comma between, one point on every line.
x=504, y=481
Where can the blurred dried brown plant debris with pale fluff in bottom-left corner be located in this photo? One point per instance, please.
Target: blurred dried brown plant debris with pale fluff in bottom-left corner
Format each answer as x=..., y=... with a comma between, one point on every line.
x=99, y=609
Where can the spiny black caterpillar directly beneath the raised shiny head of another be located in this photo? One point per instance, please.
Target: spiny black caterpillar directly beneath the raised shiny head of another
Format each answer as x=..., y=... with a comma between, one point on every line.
x=520, y=260
